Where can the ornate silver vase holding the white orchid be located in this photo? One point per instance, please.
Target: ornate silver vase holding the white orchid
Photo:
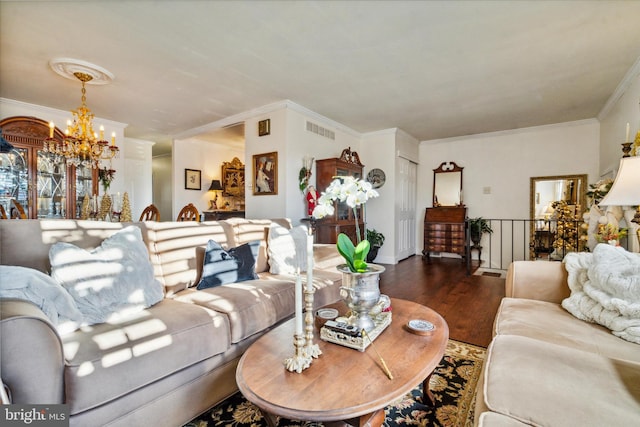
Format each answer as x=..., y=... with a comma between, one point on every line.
x=361, y=292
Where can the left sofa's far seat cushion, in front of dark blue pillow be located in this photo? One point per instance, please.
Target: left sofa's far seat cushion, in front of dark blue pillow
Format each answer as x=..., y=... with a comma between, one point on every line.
x=250, y=306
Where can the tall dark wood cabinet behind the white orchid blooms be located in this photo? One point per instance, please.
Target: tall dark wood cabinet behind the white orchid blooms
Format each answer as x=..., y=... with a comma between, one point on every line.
x=343, y=219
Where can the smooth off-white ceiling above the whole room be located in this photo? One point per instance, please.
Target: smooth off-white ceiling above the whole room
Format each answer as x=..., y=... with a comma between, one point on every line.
x=435, y=69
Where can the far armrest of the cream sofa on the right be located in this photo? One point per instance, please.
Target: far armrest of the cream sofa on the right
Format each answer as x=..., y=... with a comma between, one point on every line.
x=538, y=280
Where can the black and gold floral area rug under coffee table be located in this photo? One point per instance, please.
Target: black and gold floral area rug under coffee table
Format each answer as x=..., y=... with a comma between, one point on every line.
x=453, y=385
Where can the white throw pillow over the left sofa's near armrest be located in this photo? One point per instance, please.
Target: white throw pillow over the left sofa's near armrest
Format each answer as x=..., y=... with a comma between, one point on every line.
x=35, y=286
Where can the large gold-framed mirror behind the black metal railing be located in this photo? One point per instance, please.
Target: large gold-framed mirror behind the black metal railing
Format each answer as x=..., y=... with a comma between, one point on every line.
x=544, y=190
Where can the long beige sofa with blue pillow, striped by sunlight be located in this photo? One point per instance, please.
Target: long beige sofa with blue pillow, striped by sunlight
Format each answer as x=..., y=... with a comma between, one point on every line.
x=166, y=364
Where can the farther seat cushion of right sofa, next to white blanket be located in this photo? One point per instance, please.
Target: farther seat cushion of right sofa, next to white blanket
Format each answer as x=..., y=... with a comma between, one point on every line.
x=550, y=323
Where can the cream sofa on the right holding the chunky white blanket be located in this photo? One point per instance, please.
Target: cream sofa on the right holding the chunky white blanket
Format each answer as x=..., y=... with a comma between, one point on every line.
x=545, y=367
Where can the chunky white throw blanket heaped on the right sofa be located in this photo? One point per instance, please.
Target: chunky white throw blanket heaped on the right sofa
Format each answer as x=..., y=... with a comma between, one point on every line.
x=605, y=289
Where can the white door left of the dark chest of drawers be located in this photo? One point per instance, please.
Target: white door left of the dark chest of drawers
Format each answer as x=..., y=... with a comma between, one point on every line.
x=406, y=207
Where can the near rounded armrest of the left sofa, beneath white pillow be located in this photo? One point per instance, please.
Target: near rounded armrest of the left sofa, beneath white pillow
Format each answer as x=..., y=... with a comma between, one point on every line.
x=31, y=354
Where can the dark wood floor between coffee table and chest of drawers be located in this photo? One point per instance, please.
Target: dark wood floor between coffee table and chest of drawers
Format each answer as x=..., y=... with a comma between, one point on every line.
x=467, y=303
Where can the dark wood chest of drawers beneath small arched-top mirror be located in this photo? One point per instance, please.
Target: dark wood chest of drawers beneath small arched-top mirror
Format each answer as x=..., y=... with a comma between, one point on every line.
x=444, y=230
